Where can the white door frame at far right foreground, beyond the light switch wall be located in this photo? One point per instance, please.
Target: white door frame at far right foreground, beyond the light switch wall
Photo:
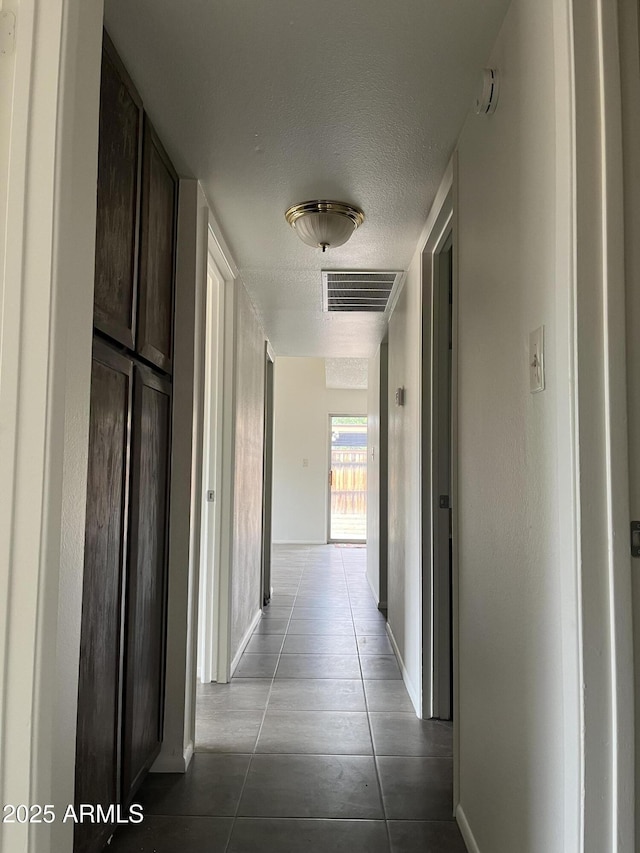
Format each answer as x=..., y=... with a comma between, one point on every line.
x=588, y=44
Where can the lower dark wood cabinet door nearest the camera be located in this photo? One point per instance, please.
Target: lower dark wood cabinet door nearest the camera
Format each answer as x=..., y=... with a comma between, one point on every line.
x=98, y=732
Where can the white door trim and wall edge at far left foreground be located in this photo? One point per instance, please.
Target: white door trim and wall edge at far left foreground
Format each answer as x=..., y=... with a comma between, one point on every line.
x=45, y=335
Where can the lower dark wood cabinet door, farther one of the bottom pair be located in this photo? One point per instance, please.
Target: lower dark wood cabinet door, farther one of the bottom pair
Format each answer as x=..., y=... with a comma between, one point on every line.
x=146, y=592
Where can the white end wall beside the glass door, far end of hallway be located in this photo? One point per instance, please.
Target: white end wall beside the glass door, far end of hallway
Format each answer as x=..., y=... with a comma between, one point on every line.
x=302, y=405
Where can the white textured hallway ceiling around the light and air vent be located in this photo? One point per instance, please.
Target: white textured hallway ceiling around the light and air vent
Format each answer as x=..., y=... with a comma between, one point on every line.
x=273, y=103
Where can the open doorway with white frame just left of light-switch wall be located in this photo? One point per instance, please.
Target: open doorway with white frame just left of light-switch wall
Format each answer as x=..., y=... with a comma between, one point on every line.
x=438, y=470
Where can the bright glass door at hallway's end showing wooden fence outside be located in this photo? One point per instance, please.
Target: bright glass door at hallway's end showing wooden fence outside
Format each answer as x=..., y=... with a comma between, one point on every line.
x=347, y=478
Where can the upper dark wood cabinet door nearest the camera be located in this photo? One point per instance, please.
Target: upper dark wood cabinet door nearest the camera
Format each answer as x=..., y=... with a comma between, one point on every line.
x=117, y=225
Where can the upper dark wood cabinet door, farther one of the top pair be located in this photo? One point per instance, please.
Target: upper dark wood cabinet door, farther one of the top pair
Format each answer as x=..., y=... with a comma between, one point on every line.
x=154, y=339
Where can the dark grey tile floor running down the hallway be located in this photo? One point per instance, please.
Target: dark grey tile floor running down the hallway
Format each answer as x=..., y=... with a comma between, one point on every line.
x=314, y=746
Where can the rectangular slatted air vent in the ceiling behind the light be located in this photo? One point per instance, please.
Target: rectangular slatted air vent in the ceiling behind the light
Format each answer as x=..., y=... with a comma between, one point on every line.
x=358, y=291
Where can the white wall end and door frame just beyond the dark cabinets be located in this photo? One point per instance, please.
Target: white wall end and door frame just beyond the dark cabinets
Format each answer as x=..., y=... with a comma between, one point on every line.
x=198, y=235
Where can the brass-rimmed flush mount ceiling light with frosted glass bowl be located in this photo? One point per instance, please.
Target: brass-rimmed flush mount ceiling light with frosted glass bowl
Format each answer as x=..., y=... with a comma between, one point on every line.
x=324, y=224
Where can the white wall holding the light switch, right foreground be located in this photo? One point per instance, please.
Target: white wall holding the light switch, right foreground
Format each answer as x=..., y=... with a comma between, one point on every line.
x=514, y=758
